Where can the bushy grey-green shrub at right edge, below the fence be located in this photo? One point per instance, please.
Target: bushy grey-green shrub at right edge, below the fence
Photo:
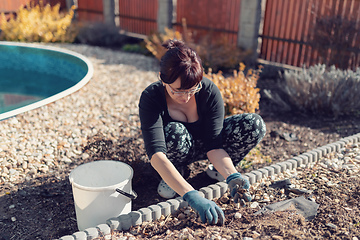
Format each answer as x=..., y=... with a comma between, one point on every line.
x=320, y=90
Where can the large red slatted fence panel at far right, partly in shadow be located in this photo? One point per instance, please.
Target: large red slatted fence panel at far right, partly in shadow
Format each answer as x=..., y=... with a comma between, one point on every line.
x=307, y=32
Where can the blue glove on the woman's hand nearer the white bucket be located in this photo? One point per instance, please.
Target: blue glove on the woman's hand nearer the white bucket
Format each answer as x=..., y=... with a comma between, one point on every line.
x=208, y=210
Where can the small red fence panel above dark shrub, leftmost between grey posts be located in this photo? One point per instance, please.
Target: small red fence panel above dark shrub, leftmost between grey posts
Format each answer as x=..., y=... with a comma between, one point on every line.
x=90, y=11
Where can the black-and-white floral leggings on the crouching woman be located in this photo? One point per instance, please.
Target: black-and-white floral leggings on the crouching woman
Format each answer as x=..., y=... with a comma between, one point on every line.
x=240, y=134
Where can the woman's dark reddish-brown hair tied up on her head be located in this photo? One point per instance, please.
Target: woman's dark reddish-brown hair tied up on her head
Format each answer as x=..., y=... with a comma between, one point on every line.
x=180, y=61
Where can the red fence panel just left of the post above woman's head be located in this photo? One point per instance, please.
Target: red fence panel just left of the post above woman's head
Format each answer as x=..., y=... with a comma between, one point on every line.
x=138, y=16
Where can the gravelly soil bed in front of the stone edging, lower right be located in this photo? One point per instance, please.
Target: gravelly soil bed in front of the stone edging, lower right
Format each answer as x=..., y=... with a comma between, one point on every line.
x=331, y=183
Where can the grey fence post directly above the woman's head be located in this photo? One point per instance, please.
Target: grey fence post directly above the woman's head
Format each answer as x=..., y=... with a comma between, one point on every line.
x=165, y=12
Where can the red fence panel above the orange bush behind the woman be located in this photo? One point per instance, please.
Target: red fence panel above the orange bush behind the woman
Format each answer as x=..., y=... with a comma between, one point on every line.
x=219, y=18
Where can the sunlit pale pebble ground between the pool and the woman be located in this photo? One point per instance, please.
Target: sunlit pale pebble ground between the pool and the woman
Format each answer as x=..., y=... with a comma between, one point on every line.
x=52, y=137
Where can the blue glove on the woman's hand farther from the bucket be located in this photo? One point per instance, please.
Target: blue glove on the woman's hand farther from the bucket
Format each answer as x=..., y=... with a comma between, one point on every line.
x=236, y=182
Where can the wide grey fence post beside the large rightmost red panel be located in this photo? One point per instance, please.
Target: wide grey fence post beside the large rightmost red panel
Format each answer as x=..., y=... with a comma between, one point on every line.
x=249, y=22
